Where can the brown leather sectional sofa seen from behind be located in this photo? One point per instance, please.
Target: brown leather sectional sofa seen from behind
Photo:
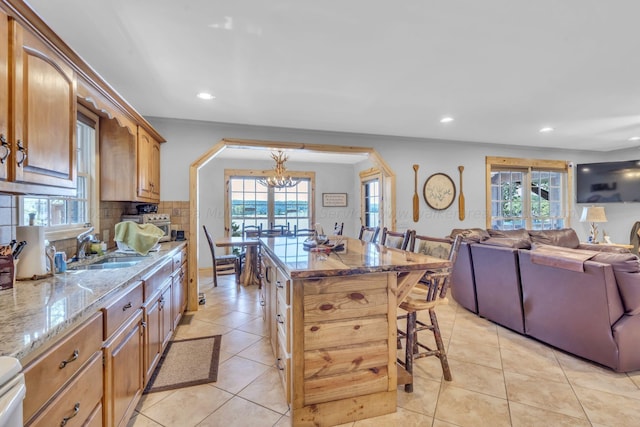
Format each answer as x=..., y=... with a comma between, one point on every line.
x=580, y=298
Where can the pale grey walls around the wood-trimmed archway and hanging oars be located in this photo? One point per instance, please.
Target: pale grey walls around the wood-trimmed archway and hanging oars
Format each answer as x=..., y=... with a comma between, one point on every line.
x=188, y=140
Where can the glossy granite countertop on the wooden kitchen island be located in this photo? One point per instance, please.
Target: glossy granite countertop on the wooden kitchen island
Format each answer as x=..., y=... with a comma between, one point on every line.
x=359, y=257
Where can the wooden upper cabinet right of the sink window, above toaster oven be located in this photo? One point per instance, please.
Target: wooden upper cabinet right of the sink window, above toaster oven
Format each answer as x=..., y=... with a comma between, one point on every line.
x=129, y=164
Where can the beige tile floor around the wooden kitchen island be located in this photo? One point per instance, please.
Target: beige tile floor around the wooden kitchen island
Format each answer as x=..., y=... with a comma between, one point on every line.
x=500, y=378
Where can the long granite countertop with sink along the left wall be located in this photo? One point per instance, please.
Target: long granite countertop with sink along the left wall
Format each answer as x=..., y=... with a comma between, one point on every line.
x=35, y=312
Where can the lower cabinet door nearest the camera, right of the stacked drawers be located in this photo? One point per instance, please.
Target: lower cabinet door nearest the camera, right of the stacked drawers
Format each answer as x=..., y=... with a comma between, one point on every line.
x=124, y=371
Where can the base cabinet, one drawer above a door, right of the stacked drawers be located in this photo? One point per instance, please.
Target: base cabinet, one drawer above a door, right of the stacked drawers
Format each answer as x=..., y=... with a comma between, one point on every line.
x=123, y=356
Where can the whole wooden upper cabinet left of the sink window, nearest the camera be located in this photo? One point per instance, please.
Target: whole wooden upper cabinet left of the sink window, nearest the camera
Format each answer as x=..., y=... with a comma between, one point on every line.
x=39, y=155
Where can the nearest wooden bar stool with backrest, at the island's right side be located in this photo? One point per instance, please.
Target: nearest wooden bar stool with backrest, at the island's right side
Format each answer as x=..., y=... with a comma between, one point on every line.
x=429, y=293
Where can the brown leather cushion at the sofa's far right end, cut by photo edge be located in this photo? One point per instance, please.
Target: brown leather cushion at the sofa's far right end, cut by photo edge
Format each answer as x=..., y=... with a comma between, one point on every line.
x=626, y=268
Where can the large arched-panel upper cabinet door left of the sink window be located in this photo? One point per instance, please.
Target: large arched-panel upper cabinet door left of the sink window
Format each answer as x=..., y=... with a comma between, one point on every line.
x=44, y=119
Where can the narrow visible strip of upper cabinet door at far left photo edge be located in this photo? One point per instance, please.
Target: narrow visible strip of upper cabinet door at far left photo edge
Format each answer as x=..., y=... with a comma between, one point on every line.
x=4, y=95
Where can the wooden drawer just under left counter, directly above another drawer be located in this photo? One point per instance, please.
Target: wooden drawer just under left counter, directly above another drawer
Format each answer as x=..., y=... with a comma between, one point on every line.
x=47, y=374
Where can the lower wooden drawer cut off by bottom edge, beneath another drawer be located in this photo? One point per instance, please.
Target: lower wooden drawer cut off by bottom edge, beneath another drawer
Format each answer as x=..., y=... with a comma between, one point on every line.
x=77, y=401
